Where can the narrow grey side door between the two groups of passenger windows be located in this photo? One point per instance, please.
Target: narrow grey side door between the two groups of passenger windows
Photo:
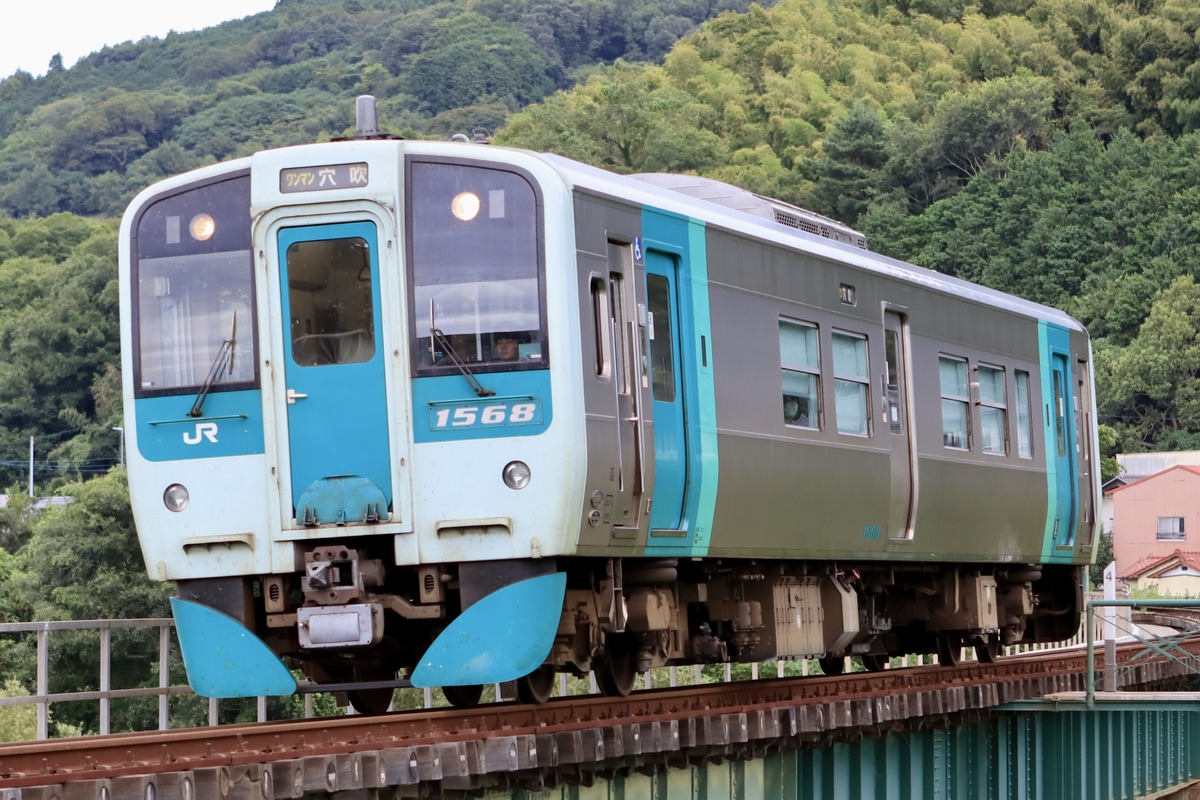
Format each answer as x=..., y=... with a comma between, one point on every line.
x=896, y=410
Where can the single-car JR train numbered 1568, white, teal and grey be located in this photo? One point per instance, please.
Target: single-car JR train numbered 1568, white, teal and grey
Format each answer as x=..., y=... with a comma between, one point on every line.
x=449, y=414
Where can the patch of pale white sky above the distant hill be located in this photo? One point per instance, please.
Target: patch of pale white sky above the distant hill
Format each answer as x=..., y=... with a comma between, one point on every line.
x=29, y=38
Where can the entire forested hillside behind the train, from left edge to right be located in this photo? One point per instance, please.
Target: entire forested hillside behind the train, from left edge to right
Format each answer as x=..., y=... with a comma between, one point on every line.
x=1047, y=148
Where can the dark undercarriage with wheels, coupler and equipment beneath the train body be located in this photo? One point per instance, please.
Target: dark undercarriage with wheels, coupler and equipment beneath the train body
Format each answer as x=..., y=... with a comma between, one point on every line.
x=349, y=619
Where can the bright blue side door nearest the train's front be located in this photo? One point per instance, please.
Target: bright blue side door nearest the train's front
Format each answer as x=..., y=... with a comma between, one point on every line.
x=667, y=390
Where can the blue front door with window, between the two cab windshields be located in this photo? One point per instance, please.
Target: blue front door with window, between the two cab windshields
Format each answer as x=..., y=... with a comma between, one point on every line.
x=334, y=375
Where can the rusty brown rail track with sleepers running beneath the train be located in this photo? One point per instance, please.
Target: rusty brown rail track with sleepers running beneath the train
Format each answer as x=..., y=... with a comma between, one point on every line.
x=565, y=739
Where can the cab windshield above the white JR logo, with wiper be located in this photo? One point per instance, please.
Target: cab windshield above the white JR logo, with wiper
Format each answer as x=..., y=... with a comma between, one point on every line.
x=195, y=292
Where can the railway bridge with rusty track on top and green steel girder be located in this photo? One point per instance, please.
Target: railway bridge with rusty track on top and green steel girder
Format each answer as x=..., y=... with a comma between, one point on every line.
x=1030, y=726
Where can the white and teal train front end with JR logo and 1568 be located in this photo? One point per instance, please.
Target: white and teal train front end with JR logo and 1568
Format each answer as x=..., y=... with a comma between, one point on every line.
x=347, y=446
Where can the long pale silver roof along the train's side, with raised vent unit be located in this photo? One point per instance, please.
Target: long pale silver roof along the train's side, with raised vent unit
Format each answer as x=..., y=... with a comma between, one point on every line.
x=665, y=194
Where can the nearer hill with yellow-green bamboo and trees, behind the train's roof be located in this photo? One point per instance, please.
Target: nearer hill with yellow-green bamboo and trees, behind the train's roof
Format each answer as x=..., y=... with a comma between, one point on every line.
x=1047, y=148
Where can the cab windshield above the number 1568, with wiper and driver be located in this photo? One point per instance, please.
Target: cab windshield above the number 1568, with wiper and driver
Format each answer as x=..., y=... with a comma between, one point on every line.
x=475, y=254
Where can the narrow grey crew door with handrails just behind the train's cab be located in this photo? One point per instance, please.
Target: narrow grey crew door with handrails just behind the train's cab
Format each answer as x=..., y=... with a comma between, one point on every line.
x=626, y=358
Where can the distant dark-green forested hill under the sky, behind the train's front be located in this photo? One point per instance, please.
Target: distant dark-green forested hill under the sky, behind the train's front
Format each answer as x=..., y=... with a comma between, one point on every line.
x=86, y=140
